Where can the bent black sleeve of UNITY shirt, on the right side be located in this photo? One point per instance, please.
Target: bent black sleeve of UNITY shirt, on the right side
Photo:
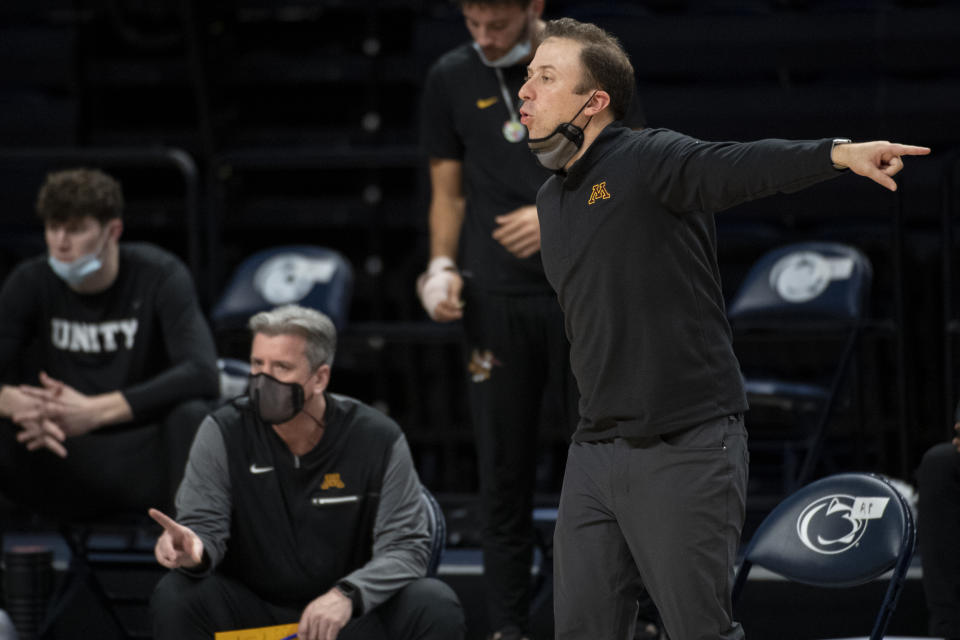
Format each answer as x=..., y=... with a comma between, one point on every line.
x=189, y=347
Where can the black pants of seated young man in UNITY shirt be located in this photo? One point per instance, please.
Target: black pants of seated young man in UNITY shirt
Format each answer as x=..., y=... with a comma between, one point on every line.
x=115, y=469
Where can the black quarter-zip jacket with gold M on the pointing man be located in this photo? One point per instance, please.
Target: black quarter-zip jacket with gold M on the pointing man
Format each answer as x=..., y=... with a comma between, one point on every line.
x=629, y=244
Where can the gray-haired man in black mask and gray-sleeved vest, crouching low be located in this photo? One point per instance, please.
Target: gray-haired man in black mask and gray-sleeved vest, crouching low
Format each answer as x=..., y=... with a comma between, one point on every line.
x=299, y=505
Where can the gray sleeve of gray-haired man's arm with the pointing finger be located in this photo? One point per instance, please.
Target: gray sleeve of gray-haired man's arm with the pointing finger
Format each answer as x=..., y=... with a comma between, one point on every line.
x=203, y=500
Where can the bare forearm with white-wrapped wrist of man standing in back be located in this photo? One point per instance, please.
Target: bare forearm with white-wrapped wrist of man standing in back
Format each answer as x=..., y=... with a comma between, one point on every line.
x=440, y=285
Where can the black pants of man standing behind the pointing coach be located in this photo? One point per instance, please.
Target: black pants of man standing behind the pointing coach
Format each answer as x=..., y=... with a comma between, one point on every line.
x=519, y=378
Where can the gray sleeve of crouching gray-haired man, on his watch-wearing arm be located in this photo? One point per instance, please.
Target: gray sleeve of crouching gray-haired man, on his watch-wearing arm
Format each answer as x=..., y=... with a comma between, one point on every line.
x=401, y=539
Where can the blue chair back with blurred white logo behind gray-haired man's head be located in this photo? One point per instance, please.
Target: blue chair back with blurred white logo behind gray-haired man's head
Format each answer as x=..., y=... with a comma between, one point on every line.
x=310, y=276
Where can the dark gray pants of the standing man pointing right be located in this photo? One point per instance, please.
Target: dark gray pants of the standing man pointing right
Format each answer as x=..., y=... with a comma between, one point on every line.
x=662, y=513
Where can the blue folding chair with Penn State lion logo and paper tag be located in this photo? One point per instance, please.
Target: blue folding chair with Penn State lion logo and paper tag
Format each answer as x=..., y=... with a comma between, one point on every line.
x=840, y=531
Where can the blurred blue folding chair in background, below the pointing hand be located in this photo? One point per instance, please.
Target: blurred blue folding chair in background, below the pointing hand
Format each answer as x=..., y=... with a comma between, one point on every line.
x=797, y=318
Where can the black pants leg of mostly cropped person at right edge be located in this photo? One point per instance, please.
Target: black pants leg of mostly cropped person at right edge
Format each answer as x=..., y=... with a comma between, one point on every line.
x=939, y=530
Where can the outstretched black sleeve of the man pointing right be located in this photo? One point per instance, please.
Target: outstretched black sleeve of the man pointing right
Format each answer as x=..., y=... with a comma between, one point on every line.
x=688, y=175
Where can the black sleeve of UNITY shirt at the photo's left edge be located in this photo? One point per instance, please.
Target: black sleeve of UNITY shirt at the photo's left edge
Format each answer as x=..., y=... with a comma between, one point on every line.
x=18, y=321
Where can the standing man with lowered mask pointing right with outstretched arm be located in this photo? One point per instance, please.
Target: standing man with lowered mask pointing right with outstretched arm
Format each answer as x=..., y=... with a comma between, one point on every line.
x=654, y=489
